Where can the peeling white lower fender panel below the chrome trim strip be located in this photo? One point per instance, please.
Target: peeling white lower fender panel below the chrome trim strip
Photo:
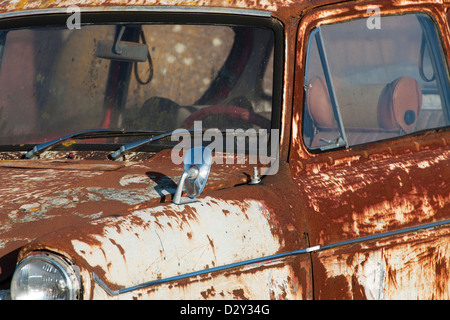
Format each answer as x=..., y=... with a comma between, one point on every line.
x=276, y=280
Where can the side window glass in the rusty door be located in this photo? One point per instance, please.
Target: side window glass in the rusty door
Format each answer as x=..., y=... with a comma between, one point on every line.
x=366, y=84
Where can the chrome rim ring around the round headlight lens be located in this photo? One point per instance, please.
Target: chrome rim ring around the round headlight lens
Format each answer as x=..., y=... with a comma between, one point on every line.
x=68, y=270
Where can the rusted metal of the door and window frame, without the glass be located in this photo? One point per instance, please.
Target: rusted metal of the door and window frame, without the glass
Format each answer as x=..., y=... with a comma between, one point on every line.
x=373, y=189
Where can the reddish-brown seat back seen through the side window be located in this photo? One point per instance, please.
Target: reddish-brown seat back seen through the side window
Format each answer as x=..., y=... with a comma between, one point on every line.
x=389, y=110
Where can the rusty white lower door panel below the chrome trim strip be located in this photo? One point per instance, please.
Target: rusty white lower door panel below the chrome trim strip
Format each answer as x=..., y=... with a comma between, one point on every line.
x=413, y=266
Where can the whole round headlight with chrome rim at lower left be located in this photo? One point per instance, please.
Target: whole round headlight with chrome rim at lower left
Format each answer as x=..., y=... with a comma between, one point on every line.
x=45, y=276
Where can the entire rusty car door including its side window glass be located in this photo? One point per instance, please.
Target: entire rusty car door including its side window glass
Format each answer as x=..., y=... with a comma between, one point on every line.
x=370, y=155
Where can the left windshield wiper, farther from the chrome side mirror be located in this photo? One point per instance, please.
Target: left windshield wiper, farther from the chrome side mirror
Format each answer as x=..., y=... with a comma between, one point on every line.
x=85, y=134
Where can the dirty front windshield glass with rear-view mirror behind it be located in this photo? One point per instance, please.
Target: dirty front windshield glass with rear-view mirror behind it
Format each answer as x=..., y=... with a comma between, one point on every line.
x=56, y=81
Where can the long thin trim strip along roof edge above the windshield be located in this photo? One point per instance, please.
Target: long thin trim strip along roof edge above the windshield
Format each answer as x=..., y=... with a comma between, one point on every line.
x=150, y=9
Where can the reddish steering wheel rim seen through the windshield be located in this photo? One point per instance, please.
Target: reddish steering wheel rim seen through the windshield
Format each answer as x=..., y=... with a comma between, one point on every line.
x=230, y=111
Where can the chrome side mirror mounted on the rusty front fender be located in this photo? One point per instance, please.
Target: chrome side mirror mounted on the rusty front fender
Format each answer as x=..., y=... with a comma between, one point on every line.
x=196, y=166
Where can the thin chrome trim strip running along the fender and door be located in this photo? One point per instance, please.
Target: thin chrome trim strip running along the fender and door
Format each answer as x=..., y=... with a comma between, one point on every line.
x=268, y=258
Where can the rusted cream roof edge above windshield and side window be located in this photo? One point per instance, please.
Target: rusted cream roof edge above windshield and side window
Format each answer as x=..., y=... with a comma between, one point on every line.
x=283, y=9
